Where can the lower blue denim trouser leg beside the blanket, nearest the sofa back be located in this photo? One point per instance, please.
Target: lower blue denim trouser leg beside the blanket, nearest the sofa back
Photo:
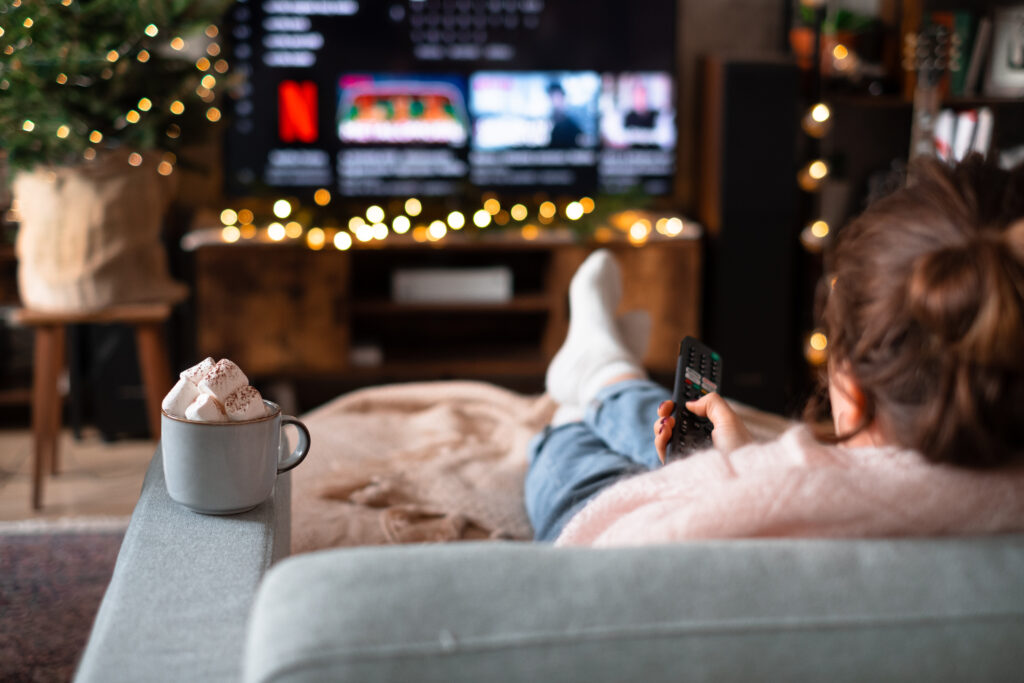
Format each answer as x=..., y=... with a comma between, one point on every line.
x=569, y=465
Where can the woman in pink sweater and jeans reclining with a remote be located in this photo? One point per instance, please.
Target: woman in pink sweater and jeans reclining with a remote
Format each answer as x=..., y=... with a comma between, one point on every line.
x=925, y=320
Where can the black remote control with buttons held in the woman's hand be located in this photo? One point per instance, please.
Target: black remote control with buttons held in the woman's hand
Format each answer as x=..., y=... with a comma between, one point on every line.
x=699, y=371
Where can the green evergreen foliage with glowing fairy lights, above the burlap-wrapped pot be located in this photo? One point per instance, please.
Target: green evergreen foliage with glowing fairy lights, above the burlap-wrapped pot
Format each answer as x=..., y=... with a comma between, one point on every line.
x=80, y=76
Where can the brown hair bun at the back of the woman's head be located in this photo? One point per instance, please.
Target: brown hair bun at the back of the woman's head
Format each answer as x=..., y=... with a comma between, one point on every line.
x=966, y=297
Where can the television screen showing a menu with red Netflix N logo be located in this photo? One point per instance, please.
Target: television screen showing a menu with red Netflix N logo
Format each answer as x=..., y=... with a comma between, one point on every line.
x=441, y=98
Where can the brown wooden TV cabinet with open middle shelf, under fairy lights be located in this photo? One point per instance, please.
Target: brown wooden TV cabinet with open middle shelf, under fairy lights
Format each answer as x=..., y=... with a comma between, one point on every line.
x=286, y=312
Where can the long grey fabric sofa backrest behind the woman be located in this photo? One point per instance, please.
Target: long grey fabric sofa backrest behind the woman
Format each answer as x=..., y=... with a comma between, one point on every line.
x=780, y=610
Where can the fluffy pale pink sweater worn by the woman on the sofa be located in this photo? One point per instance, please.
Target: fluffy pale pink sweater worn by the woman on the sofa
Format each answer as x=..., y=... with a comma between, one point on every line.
x=796, y=487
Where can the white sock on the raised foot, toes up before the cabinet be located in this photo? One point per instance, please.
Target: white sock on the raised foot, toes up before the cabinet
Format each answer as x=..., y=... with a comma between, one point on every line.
x=594, y=352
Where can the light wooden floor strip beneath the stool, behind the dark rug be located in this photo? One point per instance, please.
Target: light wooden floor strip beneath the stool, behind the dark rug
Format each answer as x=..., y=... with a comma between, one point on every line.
x=97, y=480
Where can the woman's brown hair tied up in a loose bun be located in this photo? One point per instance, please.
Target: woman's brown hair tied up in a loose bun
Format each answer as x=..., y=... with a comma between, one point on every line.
x=926, y=313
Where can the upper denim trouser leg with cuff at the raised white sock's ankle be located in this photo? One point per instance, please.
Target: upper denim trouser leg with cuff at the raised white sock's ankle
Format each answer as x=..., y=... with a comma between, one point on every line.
x=623, y=416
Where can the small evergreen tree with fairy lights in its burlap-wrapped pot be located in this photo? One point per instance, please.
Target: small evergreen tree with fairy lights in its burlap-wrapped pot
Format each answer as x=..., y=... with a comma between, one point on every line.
x=96, y=96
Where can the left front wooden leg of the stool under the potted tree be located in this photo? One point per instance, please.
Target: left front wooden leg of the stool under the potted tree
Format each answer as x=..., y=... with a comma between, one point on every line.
x=45, y=396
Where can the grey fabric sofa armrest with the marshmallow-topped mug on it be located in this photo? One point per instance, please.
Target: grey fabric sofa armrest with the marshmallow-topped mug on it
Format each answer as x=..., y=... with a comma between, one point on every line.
x=183, y=587
